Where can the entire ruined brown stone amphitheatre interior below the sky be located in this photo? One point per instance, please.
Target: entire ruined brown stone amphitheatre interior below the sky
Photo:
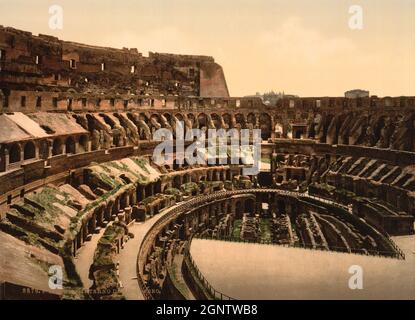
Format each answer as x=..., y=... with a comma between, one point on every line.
x=80, y=193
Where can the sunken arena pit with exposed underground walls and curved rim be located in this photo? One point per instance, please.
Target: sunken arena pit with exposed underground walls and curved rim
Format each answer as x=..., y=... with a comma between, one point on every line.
x=319, y=224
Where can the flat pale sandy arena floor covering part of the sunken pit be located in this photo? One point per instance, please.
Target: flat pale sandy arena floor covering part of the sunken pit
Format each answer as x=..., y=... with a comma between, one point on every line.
x=253, y=271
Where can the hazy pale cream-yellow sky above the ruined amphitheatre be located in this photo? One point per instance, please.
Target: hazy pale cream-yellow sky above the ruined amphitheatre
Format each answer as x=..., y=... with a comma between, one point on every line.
x=301, y=47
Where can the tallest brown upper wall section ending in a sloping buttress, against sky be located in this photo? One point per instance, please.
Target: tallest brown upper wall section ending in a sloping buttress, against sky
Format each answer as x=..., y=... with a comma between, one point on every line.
x=45, y=63
